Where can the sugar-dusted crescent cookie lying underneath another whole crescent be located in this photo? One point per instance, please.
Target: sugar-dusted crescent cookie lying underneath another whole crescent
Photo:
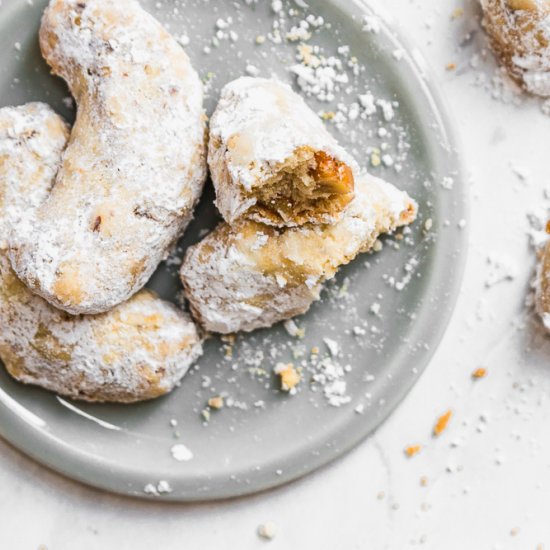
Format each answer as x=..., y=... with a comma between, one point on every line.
x=137, y=351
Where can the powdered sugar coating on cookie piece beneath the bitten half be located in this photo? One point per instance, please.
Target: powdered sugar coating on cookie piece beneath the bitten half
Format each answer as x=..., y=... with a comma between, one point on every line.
x=223, y=283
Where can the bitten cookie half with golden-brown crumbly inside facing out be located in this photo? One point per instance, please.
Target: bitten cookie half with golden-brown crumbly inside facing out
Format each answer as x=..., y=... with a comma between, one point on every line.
x=272, y=160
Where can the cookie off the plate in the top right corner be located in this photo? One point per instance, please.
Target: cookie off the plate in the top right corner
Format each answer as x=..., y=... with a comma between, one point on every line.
x=519, y=31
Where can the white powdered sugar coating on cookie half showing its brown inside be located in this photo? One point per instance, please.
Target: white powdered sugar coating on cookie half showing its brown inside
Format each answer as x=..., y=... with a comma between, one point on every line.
x=271, y=122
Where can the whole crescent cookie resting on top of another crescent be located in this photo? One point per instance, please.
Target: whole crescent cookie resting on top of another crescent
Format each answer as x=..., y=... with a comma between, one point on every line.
x=135, y=164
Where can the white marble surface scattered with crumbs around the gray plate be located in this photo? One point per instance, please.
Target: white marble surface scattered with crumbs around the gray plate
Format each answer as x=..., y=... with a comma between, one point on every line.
x=488, y=475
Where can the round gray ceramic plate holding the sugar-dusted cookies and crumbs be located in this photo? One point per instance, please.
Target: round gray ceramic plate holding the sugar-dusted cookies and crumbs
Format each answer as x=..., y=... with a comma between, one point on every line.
x=264, y=437
